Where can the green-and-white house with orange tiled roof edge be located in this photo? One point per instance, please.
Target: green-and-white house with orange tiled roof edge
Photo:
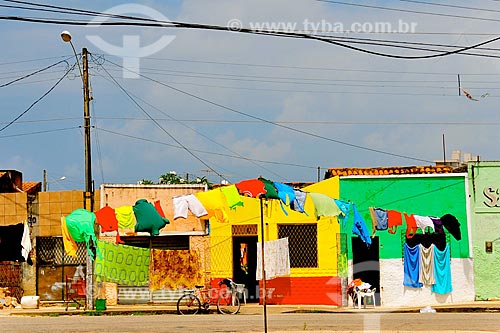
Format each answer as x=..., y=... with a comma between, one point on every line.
x=424, y=191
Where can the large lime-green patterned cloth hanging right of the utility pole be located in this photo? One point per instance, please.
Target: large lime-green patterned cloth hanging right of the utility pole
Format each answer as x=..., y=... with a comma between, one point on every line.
x=122, y=264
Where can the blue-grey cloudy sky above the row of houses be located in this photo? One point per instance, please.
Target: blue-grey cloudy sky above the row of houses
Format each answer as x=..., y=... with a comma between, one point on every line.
x=231, y=106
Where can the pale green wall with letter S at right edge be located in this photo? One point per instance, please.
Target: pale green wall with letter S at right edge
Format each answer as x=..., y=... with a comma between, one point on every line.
x=484, y=184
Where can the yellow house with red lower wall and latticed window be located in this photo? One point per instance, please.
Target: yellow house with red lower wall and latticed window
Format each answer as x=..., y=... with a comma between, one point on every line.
x=312, y=243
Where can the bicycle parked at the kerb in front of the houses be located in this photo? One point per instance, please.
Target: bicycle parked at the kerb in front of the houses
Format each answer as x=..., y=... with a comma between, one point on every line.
x=192, y=301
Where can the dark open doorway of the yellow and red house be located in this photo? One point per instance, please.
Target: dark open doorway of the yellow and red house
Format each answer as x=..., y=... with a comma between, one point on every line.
x=245, y=265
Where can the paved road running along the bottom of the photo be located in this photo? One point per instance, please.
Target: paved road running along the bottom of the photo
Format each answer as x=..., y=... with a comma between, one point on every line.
x=303, y=322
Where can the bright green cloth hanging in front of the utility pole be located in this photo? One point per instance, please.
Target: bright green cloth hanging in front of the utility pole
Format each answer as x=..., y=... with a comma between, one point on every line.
x=80, y=224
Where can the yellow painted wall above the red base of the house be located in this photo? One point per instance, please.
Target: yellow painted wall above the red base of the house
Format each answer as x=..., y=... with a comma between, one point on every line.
x=327, y=227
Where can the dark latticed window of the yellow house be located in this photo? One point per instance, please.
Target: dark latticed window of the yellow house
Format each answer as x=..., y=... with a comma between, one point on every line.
x=302, y=243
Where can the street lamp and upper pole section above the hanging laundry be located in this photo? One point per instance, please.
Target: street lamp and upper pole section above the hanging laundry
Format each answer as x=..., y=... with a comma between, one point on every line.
x=89, y=193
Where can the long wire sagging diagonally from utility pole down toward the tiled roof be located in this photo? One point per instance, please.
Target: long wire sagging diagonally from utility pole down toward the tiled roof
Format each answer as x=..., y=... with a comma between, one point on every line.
x=268, y=121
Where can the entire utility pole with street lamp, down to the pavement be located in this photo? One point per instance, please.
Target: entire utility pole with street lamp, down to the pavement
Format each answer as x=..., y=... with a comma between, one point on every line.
x=88, y=202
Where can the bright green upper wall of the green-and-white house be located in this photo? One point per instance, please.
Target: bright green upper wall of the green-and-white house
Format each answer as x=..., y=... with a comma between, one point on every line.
x=421, y=195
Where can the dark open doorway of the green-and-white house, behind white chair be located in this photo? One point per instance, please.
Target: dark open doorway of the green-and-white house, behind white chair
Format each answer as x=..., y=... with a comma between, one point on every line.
x=366, y=264
